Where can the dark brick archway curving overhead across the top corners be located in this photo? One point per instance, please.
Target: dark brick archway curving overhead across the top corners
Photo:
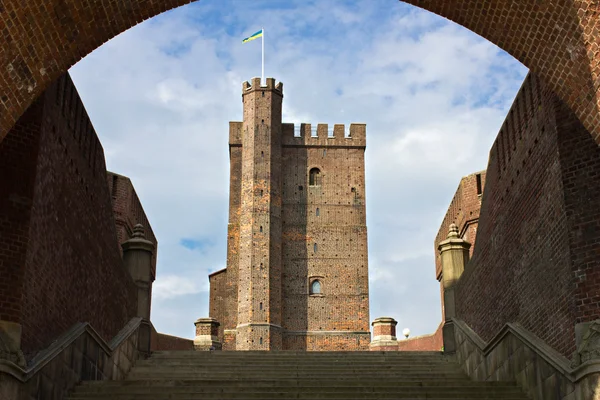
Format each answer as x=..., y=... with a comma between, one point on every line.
x=560, y=41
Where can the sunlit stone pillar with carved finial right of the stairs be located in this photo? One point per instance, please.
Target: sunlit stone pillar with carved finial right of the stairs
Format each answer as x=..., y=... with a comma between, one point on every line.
x=454, y=254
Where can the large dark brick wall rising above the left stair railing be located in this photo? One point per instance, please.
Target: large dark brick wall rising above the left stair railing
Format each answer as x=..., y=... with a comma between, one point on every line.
x=70, y=264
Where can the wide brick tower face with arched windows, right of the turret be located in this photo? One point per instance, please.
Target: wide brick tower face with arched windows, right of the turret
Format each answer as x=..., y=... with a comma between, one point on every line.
x=340, y=233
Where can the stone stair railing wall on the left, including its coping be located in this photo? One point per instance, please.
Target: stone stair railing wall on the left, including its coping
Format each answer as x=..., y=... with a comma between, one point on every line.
x=78, y=355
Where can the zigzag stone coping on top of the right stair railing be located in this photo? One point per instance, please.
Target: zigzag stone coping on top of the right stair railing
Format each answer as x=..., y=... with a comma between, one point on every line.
x=551, y=356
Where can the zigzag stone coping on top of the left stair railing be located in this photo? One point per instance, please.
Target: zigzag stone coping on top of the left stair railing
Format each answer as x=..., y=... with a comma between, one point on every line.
x=64, y=341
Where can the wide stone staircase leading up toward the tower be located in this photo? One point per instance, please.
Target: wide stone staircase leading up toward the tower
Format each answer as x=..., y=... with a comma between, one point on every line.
x=187, y=375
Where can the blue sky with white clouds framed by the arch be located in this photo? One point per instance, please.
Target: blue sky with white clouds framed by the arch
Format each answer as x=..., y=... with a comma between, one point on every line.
x=433, y=96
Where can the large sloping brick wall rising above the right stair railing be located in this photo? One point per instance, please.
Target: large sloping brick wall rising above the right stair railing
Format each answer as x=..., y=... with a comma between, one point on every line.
x=538, y=228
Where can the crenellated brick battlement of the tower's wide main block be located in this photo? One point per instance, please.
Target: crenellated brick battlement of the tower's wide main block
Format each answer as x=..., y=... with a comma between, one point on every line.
x=324, y=136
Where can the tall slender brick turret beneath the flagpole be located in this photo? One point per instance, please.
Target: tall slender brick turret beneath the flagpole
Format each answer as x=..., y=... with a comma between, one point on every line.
x=260, y=262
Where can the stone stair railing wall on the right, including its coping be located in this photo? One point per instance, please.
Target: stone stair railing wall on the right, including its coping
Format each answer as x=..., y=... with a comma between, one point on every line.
x=516, y=354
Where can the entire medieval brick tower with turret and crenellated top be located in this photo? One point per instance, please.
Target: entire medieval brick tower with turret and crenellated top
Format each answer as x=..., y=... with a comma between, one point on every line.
x=297, y=267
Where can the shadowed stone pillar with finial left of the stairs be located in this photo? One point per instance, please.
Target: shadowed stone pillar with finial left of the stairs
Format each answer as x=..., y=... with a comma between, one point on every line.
x=137, y=257
